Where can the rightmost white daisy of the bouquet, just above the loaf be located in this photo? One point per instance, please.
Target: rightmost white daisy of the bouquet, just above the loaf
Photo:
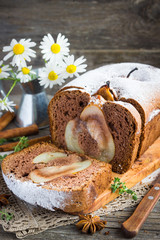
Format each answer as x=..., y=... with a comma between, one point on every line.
x=73, y=67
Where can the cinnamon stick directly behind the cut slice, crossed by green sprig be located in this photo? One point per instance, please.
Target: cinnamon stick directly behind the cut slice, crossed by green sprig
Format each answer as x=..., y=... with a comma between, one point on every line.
x=10, y=146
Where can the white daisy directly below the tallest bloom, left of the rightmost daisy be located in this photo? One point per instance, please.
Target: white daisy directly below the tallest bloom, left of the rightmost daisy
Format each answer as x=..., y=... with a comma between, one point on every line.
x=51, y=75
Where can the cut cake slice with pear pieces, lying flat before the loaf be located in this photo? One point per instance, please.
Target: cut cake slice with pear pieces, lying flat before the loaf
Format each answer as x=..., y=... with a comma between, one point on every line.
x=55, y=179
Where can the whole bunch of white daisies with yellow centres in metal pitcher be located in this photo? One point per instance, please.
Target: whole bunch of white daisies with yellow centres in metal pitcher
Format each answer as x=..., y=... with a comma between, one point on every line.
x=59, y=65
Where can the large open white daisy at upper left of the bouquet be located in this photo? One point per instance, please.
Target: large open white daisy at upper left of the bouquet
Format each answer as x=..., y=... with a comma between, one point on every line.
x=20, y=51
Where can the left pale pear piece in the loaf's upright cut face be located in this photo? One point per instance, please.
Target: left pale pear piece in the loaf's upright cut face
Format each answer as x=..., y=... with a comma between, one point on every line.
x=71, y=137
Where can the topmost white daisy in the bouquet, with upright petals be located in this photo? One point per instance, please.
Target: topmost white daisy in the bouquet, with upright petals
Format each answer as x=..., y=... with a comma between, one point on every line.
x=54, y=51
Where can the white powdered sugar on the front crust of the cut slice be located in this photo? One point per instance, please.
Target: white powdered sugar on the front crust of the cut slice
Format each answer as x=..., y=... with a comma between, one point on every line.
x=36, y=194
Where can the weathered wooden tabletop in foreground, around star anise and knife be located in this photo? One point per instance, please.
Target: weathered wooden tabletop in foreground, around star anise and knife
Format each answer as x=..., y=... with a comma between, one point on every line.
x=150, y=229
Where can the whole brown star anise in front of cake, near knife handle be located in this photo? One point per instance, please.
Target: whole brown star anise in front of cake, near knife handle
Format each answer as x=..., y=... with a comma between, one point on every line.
x=89, y=224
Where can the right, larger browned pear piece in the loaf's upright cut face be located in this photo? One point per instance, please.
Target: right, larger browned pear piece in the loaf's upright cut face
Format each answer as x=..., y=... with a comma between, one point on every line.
x=98, y=129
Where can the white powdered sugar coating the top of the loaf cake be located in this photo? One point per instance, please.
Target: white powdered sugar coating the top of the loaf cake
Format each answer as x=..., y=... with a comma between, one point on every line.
x=143, y=85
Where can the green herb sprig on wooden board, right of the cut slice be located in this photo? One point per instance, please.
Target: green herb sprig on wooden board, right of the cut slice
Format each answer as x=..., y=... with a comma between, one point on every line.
x=118, y=185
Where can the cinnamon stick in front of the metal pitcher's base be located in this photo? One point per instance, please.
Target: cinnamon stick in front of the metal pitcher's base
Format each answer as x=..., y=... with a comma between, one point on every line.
x=18, y=132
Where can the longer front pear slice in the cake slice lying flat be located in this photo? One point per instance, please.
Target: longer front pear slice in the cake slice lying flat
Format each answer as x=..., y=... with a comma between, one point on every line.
x=47, y=174
